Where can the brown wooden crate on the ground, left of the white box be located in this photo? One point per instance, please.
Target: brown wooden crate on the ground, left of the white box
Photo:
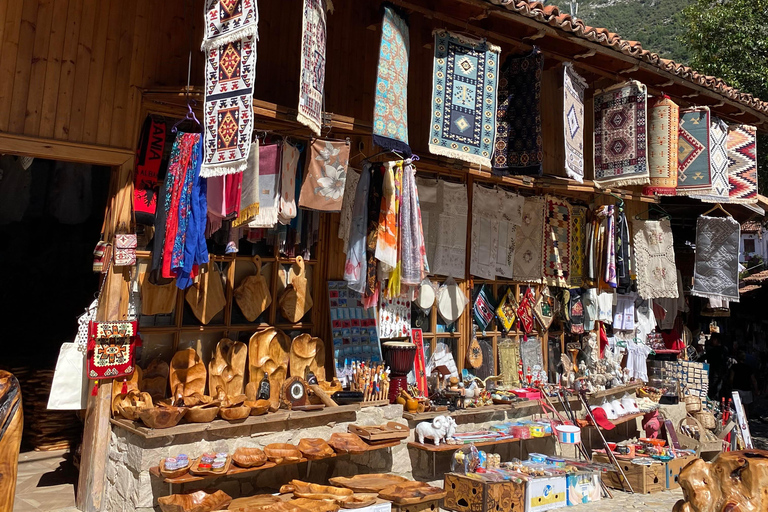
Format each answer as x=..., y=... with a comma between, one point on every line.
x=467, y=494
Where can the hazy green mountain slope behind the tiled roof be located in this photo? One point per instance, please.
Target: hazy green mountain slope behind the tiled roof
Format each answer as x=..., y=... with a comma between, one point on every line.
x=657, y=24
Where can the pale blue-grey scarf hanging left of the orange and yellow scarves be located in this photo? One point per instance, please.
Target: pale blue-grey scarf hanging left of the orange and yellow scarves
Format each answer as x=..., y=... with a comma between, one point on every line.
x=355, y=267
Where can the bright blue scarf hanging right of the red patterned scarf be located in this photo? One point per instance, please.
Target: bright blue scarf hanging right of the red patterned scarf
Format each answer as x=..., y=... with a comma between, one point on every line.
x=195, y=247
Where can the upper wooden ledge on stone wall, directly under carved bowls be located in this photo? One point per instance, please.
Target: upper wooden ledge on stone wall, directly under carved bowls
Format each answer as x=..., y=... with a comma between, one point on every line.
x=264, y=422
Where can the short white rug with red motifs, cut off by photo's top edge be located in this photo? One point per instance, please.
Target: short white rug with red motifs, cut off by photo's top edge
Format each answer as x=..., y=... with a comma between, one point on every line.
x=229, y=20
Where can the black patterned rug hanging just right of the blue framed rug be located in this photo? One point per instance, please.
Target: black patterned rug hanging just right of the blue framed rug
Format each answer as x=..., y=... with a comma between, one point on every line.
x=518, y=148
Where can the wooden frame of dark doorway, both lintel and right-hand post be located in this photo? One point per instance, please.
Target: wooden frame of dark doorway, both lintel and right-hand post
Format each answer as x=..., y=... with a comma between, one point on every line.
x=96, y=434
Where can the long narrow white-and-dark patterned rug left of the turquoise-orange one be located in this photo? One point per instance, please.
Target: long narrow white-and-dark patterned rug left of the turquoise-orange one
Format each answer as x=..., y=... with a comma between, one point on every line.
x=312, y=69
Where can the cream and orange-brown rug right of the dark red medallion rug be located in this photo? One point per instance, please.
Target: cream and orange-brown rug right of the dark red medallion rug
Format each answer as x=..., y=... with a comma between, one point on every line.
x=663, y=127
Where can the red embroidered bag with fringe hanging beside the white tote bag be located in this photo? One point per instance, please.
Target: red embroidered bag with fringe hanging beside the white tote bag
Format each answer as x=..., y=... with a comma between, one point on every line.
x=111, y=349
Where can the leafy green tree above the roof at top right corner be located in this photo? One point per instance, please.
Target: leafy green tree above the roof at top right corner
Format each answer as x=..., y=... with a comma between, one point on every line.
x=729, y=39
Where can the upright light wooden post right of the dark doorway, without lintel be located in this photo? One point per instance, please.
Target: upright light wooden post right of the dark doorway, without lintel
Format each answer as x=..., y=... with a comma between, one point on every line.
x=113, y=305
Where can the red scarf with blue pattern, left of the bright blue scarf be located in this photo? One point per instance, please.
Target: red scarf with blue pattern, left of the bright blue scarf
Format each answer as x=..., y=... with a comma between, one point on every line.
x=175, y=185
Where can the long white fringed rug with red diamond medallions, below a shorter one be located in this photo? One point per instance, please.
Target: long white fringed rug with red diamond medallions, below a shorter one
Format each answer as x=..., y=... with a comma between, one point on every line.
x=228, y=123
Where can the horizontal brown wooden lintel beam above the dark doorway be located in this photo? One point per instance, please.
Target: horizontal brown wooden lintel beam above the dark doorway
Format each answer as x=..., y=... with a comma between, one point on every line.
x=64, y=151
